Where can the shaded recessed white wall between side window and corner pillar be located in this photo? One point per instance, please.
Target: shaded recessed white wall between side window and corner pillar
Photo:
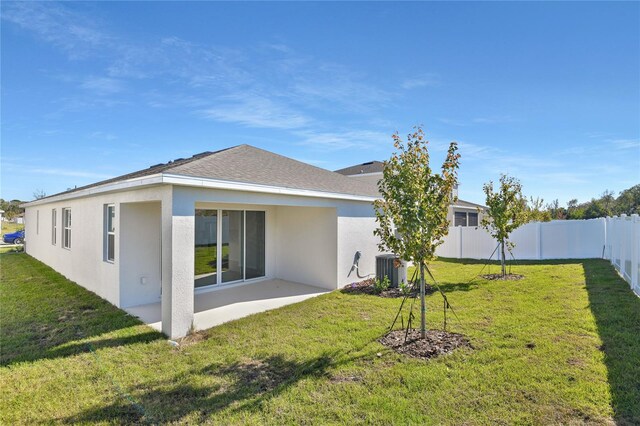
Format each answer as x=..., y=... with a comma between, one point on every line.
x=140, y=254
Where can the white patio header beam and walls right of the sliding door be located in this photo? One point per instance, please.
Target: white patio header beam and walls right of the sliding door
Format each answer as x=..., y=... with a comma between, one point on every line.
x=303, y=223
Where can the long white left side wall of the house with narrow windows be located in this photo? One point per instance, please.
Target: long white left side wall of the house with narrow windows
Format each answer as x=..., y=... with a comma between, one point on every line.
x=84, y=262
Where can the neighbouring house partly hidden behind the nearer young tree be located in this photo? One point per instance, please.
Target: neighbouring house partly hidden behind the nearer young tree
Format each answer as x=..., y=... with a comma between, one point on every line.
x=461, y=213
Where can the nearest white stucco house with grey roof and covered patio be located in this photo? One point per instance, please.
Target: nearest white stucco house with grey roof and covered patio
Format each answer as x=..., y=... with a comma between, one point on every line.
x=168, y=239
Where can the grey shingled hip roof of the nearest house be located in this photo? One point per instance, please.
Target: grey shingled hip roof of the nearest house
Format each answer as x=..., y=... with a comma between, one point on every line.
x=248, y=164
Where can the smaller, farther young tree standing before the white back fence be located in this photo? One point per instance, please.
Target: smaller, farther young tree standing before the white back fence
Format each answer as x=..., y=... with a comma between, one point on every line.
x=506, y=211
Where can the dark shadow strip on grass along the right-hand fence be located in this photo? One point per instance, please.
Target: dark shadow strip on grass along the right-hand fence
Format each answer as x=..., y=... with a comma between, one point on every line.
x=617, y=313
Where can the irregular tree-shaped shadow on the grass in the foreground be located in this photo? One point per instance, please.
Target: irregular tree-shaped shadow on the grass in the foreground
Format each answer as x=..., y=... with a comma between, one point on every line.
x=241, y=386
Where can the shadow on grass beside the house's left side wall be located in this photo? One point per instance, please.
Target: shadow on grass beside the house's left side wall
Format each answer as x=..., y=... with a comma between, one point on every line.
x=46, y=316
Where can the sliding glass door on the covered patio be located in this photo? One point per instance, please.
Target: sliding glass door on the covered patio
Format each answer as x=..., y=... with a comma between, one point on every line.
x=231, y=242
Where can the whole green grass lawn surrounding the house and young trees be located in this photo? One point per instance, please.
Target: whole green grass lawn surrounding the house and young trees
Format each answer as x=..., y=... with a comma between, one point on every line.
x=561, y=346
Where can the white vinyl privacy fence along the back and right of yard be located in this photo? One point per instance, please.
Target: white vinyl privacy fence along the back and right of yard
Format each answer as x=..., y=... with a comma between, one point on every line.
x=613, y=238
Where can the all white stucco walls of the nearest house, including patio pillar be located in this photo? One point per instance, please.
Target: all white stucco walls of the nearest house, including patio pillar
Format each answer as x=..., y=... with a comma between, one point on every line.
x=309, y=240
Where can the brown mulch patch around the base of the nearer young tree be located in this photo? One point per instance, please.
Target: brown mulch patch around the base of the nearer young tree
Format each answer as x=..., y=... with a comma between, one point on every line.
x=436, y=343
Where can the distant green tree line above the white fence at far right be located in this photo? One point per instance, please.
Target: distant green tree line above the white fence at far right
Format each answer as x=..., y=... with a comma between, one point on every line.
x=627, y=202
